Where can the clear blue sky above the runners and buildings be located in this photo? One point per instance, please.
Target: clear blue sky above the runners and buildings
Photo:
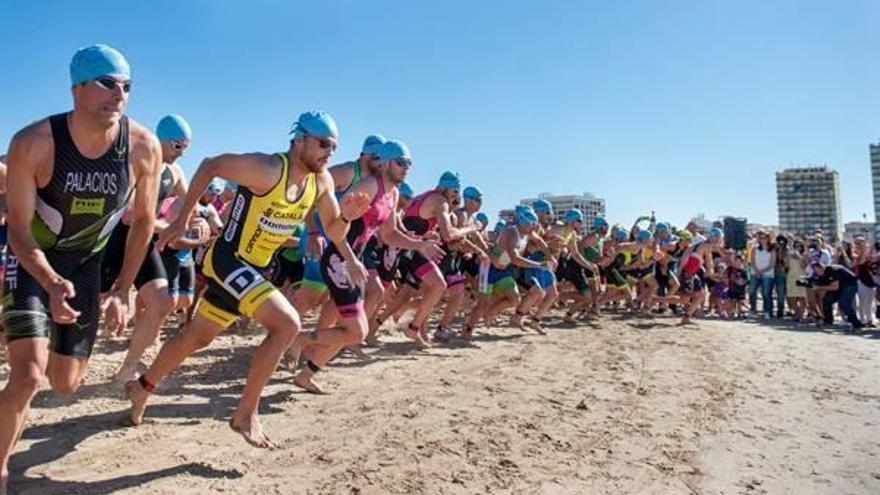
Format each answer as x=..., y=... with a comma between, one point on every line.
x=678, y=106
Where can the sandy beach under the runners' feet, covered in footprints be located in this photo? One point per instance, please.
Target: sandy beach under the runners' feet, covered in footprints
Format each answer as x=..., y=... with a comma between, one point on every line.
x=623, y=405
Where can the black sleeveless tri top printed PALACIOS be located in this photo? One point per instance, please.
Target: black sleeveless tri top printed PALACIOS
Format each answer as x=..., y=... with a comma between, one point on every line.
x=85, y=198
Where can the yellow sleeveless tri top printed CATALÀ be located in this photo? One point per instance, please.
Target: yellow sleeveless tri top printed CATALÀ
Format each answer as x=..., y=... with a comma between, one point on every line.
x=260, y=224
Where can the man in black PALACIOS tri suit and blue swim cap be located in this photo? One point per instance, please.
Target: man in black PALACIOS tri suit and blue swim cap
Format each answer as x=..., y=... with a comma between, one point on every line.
x=70, y=177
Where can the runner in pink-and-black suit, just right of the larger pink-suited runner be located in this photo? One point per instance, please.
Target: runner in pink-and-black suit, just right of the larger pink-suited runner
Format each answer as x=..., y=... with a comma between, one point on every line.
x=430, y=212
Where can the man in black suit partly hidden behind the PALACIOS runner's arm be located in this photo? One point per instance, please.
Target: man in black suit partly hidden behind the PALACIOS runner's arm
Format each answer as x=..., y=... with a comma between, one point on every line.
x=154, y=302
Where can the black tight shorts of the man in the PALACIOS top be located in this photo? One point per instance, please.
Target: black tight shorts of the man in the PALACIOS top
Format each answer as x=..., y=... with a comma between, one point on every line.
x=26, y=304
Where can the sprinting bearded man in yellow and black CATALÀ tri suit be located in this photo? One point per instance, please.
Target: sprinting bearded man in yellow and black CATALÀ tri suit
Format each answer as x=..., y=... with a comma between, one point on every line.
x=275, y=192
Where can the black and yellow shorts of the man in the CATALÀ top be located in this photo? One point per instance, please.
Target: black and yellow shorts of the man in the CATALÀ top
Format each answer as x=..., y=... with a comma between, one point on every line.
x=235, y=287
